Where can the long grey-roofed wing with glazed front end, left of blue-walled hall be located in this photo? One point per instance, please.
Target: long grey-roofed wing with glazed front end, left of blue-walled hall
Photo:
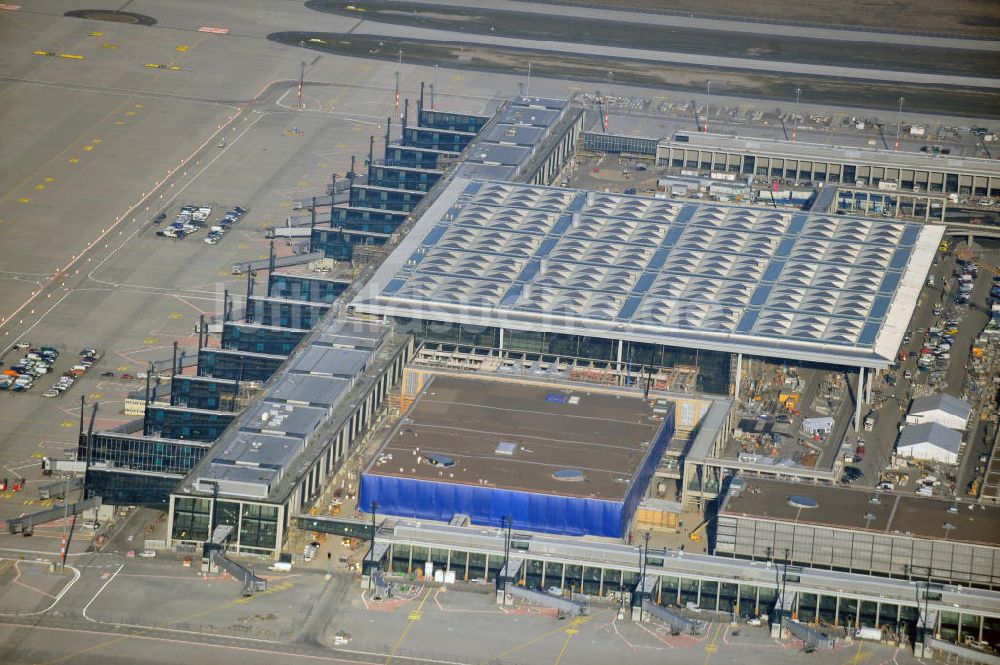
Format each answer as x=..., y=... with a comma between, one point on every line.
x=281, y=451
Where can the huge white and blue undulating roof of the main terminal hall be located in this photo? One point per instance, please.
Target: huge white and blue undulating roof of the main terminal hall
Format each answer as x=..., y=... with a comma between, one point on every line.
x=772, y=282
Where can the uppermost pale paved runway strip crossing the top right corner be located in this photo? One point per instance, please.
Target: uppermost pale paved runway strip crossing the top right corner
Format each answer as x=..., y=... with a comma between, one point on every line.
x=723, y=25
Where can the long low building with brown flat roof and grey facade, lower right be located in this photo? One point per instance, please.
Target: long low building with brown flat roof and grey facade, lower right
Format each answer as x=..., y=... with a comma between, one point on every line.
x=863, y=531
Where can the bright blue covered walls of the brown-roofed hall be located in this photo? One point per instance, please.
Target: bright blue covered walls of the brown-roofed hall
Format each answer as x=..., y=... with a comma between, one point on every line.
x=489, y=506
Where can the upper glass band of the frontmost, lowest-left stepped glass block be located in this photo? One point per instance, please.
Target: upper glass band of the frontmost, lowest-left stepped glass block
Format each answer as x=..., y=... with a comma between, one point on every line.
x=140, y=453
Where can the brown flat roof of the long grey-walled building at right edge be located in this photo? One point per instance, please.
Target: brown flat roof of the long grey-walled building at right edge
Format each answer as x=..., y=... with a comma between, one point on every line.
x=846, y=507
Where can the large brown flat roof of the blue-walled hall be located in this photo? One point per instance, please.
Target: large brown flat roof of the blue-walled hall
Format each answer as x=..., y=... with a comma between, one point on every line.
x=548, y=429
